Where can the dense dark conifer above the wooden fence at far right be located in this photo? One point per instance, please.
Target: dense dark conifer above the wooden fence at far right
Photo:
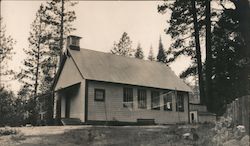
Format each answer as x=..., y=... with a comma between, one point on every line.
x=226, y=52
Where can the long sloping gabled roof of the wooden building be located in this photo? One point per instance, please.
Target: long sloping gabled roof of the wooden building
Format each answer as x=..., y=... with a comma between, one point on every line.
x=99, y=66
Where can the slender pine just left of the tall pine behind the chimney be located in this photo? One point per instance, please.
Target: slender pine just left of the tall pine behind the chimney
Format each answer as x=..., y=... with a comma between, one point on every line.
x=31, y=75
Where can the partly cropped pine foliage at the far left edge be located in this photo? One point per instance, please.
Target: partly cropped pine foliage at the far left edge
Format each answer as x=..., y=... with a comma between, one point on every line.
x=6, y=52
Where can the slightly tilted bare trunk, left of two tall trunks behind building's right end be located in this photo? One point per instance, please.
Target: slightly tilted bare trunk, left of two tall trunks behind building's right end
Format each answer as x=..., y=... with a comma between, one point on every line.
x=198, y=52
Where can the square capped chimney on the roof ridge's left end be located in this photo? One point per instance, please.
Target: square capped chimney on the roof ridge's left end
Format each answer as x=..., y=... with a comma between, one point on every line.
x=73, y=42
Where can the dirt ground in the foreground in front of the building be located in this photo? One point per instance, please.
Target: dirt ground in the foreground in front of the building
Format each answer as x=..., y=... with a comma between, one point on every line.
x=170, y=135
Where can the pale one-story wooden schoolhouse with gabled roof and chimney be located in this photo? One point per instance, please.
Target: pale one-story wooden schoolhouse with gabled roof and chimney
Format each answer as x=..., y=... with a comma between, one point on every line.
x=97, y=87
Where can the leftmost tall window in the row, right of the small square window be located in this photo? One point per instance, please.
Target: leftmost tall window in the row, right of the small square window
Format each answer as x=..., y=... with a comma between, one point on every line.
x=128, y=97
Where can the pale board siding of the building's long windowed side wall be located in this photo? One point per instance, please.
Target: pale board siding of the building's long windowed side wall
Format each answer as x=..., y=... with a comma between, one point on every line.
x=112, y=109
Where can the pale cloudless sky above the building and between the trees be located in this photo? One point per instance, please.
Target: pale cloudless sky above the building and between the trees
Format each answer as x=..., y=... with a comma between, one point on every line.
x=99, y=23
